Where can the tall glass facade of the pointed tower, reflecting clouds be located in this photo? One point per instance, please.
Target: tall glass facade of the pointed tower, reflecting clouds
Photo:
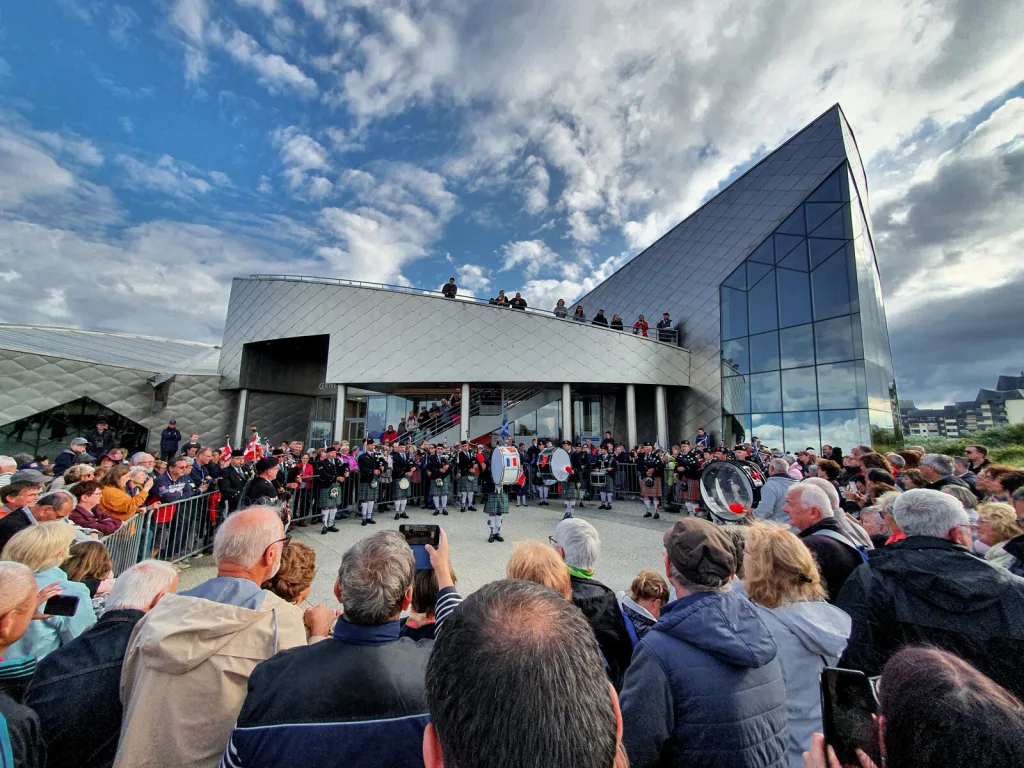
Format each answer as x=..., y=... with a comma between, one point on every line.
x=805, y=348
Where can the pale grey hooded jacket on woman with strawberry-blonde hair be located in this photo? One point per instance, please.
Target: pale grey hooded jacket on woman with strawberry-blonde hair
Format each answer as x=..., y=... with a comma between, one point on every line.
x=810, y=636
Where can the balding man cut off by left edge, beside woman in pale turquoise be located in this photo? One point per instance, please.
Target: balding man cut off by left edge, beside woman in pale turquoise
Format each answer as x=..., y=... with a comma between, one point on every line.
x=22, y=735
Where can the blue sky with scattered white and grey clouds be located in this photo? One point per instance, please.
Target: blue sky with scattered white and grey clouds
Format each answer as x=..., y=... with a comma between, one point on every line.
x=152, y=151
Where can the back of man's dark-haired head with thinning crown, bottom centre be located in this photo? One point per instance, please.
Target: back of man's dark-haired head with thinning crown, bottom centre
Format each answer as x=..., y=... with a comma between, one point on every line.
x=527, y=657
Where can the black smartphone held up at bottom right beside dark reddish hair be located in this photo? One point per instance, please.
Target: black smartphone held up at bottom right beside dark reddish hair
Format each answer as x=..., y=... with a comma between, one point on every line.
x=848, y=709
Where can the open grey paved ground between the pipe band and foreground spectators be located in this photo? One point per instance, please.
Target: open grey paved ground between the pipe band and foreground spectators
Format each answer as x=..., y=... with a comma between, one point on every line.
x=629, y=543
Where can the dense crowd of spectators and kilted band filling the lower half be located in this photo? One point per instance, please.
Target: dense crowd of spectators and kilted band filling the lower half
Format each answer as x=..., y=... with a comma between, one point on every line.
x=907, y=567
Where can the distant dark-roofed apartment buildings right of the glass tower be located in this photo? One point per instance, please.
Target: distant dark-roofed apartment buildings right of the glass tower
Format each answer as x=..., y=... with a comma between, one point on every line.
x=992, y=408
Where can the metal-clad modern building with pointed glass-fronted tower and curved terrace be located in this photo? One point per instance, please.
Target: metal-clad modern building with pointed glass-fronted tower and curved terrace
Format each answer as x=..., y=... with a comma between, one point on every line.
x=778, y=332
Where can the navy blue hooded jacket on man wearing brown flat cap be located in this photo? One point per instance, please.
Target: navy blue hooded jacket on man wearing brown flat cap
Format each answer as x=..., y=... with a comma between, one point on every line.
x=705, y=690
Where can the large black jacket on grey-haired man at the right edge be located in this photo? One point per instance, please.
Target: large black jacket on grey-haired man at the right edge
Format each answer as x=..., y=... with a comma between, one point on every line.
x=928, y=591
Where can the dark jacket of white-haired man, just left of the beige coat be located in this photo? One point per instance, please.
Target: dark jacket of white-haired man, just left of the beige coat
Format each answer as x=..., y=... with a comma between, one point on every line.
x=77, y=693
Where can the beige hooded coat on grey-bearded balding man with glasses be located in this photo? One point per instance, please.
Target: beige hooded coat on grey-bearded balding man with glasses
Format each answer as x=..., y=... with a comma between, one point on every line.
x=185, y=677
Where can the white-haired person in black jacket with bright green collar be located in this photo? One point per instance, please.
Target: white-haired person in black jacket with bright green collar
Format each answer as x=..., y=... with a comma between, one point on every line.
x=578, y=544
